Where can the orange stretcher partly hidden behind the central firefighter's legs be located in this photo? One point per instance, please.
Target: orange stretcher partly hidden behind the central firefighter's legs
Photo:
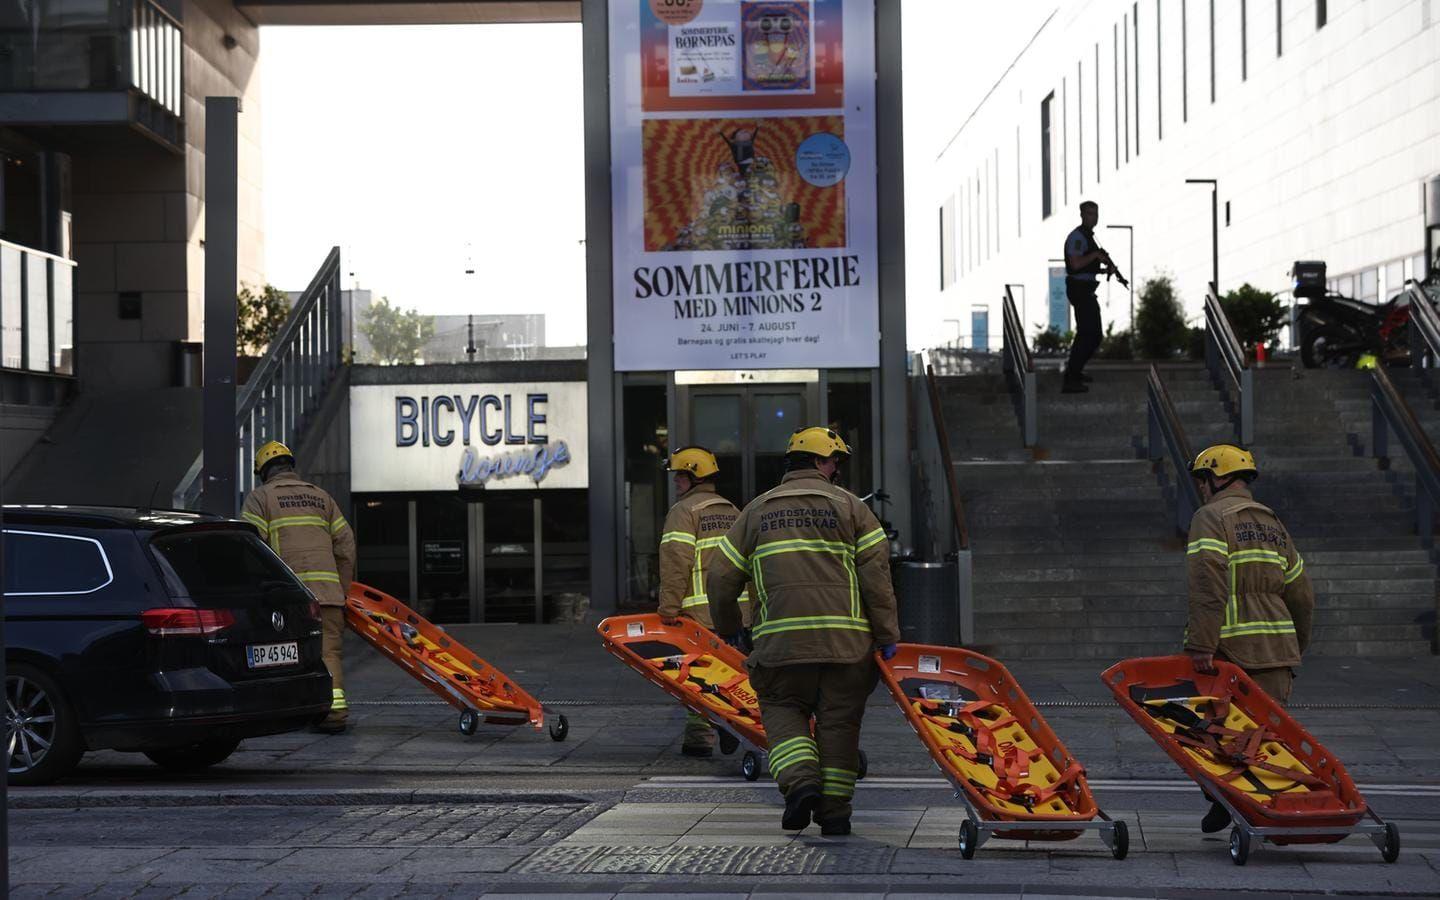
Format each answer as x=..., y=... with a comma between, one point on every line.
x=702, y=672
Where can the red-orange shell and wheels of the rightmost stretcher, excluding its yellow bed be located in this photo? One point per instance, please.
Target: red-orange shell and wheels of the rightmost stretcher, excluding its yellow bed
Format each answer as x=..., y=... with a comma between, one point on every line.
x=1311, y=819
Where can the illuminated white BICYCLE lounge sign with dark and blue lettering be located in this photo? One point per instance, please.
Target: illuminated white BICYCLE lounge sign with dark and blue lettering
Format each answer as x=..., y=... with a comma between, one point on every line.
x=499, y=437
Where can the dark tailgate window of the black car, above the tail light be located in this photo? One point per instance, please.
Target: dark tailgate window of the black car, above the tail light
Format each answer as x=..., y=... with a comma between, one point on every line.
x=221, y=567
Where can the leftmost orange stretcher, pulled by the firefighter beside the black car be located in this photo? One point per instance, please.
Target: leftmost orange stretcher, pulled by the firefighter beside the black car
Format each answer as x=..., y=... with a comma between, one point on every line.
x=477, y=689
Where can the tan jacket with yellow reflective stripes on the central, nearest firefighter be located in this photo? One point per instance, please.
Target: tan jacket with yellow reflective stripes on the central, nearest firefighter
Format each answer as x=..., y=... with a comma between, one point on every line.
x=820, y=564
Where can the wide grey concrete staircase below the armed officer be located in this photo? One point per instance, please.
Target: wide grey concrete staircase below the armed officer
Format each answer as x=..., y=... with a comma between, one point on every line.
x=1075, y=549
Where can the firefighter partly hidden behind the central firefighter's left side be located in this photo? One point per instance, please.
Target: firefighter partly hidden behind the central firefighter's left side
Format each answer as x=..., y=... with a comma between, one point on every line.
x=689, y=548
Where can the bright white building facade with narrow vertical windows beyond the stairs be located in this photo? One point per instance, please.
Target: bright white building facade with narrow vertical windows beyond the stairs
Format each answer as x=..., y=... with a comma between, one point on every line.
x=1321, y=152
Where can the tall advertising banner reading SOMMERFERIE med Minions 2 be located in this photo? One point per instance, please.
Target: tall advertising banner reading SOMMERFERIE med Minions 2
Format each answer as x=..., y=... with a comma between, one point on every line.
x=744, y=184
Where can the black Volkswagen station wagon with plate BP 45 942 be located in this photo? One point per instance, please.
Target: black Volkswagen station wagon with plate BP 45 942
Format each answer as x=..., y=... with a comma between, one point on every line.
x=171, y=634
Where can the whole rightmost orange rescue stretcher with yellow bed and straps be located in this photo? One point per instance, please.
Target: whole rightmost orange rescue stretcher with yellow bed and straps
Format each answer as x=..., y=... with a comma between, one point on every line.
x=1248, y=754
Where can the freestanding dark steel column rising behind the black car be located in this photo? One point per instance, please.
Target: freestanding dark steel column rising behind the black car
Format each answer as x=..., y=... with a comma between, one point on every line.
x=221, y=273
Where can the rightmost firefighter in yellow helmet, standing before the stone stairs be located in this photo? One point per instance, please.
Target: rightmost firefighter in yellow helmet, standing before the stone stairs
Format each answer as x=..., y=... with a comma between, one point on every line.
x=1251, y=601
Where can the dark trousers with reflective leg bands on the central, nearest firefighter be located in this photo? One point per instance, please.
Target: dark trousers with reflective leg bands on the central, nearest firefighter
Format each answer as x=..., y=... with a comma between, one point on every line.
x=829, y=760
